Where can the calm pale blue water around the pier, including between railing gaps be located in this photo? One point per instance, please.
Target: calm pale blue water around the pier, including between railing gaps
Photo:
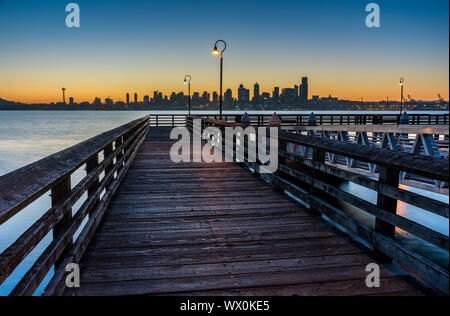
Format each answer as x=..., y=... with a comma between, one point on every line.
x=29, y=136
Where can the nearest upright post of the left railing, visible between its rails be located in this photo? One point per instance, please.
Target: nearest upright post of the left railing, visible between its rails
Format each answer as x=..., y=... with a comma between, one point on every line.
x=58, y=194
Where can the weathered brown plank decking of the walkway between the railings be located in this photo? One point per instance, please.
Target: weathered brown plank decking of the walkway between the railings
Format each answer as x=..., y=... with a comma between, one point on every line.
x=213, y=229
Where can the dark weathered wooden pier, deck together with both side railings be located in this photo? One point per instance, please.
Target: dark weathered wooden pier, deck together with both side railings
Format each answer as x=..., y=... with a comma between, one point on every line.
x=156, y=227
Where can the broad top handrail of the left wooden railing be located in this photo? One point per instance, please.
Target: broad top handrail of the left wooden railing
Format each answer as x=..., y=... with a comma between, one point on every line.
x=21, y=187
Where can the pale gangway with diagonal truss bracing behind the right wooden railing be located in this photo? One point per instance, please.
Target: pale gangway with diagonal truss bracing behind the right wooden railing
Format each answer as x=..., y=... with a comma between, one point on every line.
x=429, y=140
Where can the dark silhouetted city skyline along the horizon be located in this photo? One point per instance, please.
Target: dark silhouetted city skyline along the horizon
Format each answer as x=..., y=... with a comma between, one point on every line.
x=293, y=98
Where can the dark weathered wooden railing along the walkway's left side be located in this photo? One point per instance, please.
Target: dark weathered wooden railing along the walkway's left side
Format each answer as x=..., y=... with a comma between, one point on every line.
x=20, y=188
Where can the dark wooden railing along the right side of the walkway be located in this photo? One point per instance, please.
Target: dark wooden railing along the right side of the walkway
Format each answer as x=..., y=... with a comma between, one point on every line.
x=314, y=182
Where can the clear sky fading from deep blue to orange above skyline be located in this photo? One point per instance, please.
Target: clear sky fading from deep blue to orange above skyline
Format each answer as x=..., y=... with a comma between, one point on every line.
x=142, y=46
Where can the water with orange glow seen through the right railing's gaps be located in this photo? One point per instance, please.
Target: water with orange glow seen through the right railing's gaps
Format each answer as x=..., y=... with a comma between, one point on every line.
x=427, y=219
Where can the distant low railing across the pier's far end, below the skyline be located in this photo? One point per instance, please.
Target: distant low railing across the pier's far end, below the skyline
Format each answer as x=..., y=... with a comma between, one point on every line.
x=302, y=119
